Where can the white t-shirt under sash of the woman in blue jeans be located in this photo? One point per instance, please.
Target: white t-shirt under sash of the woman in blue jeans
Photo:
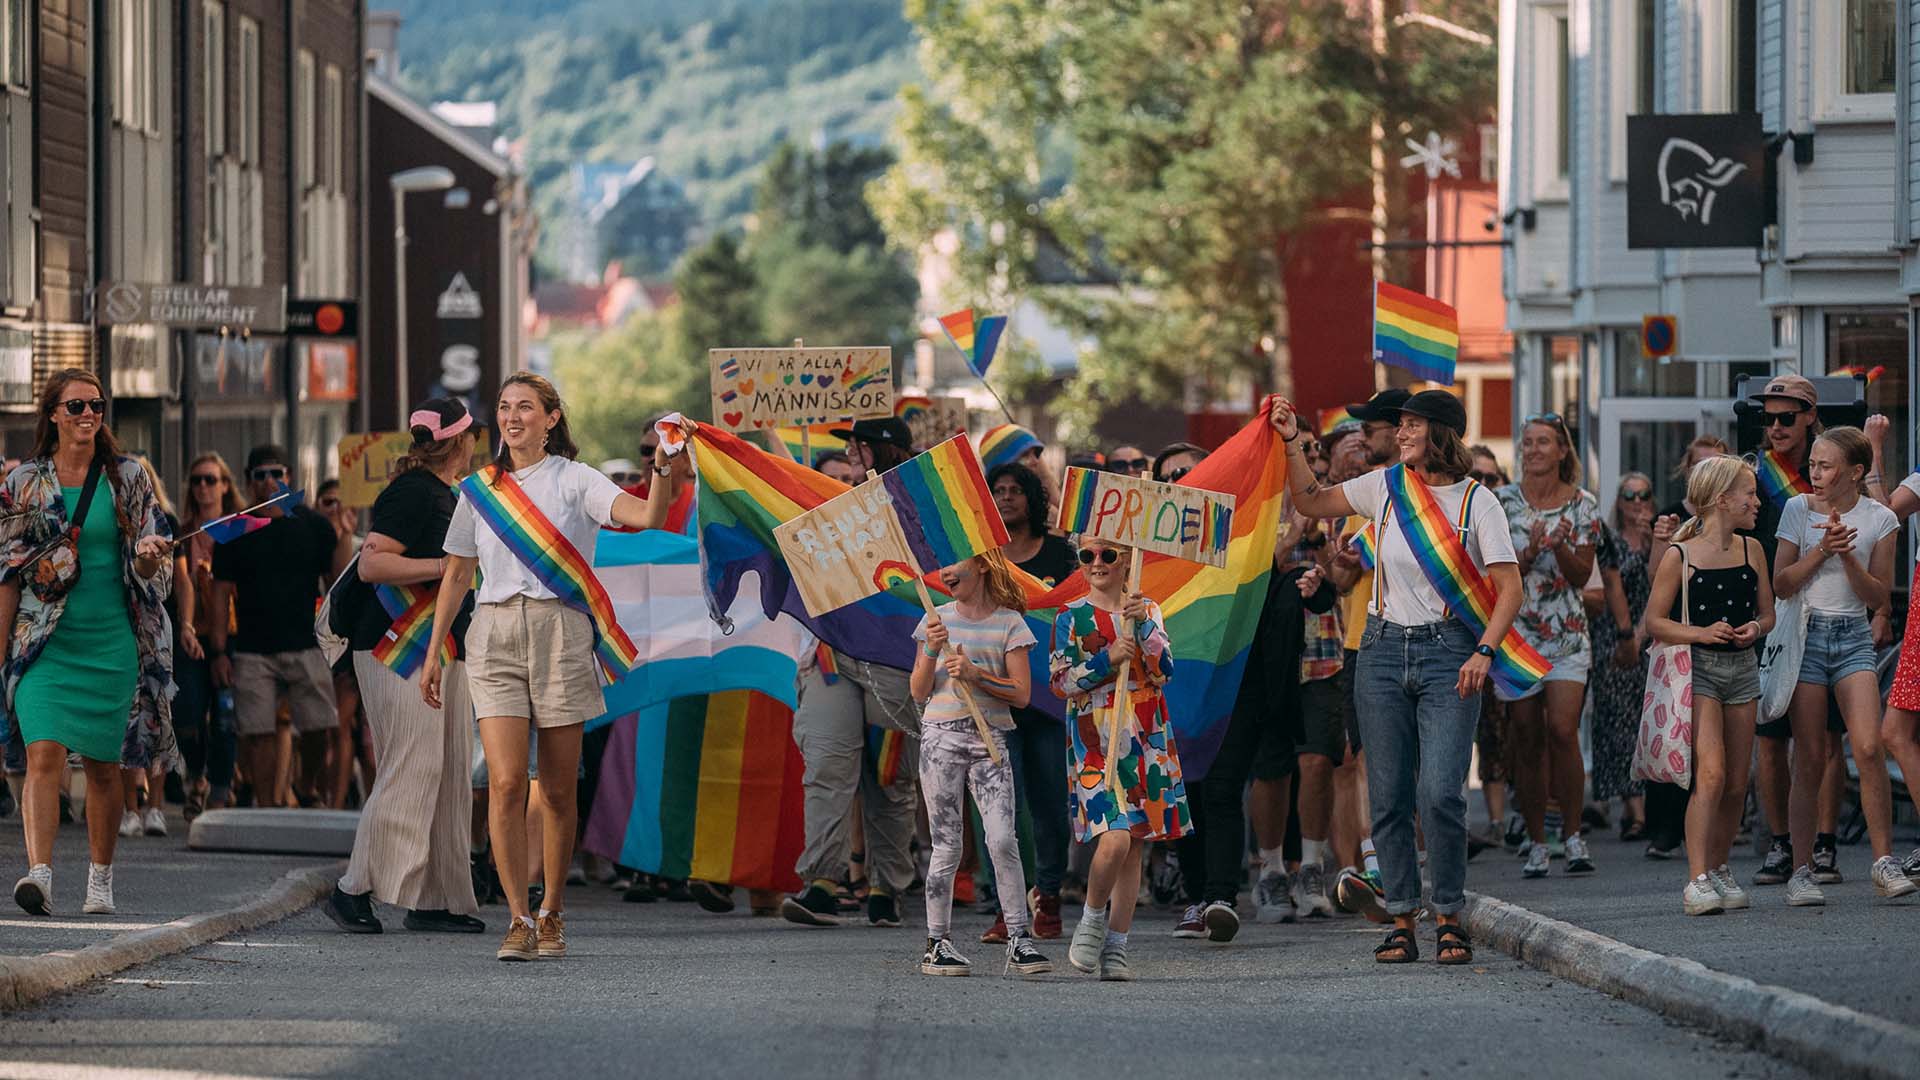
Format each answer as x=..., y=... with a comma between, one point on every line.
x=1408, y=599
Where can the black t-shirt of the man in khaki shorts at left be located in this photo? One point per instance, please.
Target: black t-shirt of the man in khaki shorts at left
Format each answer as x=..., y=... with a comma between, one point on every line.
x=277, y=574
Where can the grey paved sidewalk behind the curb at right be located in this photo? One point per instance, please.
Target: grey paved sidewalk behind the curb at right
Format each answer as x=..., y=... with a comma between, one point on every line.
x=1856, y=952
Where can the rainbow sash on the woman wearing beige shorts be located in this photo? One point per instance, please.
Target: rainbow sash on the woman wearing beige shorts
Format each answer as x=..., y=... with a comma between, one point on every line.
x=544, y=551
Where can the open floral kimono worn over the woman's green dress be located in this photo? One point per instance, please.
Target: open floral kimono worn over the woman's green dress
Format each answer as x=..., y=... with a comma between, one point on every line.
x=34, y=514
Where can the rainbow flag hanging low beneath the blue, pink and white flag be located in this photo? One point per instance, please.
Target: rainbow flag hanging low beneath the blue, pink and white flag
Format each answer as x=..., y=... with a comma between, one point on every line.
x=708, y=789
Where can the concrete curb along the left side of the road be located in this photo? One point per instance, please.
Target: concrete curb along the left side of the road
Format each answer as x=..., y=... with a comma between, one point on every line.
x=26, y=981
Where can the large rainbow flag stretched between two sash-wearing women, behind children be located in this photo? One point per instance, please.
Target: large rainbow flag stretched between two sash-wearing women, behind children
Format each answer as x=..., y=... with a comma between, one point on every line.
x=1212, y=612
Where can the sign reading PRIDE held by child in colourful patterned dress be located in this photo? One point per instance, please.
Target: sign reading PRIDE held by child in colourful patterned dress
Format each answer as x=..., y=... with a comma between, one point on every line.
x=1170, y=520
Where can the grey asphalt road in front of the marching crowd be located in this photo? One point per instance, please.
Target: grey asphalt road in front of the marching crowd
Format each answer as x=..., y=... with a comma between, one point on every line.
x=665, y=991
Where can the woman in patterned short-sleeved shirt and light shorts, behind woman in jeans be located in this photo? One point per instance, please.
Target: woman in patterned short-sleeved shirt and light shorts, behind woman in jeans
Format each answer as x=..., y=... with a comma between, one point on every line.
x=1556, y=528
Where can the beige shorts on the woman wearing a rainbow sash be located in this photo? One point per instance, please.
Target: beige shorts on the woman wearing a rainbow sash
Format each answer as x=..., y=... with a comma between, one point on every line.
x=533, y=658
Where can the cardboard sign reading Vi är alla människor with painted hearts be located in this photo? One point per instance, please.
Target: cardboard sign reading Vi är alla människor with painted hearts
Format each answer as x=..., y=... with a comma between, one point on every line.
x=757, y=389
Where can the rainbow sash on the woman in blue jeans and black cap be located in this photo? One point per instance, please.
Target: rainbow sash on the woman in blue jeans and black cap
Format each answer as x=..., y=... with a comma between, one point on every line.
x=1466, y=591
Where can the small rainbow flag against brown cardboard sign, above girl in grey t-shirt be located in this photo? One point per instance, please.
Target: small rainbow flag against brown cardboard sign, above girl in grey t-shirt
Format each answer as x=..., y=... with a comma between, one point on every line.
x=946, y=508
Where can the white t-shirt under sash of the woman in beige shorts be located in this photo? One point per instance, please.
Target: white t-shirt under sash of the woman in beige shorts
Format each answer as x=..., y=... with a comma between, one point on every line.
x=577, y=499
